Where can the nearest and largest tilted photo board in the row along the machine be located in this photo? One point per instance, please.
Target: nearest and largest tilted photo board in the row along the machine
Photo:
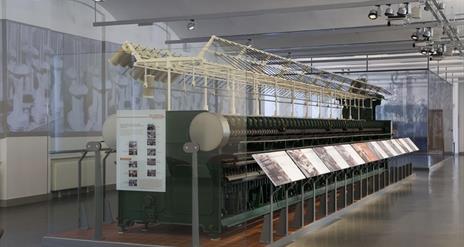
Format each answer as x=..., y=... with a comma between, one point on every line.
x=279, y=167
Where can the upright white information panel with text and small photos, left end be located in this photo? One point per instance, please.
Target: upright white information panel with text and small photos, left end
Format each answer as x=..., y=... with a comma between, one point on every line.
x=141, y=150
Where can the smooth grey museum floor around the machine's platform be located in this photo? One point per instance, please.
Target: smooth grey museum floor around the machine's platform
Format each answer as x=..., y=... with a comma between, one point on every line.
x=426, y=210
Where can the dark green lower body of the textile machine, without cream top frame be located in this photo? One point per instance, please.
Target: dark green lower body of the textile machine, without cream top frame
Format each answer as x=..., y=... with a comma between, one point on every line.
x=232, y=188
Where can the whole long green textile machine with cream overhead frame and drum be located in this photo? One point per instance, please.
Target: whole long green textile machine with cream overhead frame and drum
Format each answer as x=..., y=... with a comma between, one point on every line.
x=233, y=189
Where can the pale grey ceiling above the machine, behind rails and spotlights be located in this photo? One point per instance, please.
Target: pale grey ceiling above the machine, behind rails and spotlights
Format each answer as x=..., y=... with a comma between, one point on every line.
x=318, y=28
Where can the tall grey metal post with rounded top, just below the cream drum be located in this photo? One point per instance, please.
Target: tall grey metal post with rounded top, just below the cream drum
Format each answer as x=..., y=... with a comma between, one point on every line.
x=193, y=149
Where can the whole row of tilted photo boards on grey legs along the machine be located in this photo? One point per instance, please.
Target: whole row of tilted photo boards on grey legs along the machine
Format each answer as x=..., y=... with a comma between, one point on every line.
x=326, y=162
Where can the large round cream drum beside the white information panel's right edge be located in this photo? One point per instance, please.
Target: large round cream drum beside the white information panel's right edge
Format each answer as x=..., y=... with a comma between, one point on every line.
x=209, y=130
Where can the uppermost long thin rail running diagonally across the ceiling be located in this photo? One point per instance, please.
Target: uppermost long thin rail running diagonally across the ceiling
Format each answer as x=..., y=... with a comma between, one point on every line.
x=225, y=15
